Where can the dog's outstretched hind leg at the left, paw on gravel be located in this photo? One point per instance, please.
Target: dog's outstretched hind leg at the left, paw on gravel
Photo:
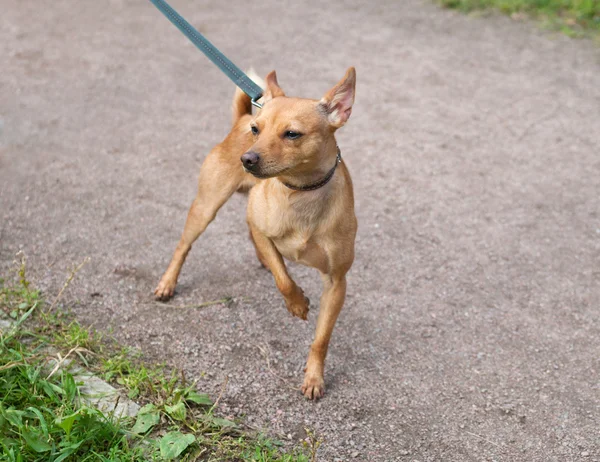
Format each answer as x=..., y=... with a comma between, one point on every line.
x=220, y=177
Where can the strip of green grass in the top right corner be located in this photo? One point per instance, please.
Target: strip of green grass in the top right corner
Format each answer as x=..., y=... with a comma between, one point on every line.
x=576, y=18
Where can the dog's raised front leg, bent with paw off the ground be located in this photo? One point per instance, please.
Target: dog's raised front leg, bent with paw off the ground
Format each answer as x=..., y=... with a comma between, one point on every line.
x=296, y=302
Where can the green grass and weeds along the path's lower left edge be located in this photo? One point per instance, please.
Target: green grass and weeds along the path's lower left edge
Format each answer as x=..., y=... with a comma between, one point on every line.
x=43, y=419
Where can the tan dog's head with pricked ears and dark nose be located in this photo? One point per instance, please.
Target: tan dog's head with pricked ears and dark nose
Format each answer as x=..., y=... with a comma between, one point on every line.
x=293, y=136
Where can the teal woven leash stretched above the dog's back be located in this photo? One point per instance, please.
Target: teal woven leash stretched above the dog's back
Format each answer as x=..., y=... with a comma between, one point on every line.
x=246, y=84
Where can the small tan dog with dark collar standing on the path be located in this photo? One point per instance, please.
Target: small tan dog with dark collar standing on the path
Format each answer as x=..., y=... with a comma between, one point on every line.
x=301, y=204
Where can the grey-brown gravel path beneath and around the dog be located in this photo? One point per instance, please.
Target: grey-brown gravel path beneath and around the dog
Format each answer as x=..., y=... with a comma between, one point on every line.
x=472, y=329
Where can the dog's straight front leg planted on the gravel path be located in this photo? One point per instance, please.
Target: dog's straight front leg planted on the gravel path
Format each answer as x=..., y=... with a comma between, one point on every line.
x=332, y=300
